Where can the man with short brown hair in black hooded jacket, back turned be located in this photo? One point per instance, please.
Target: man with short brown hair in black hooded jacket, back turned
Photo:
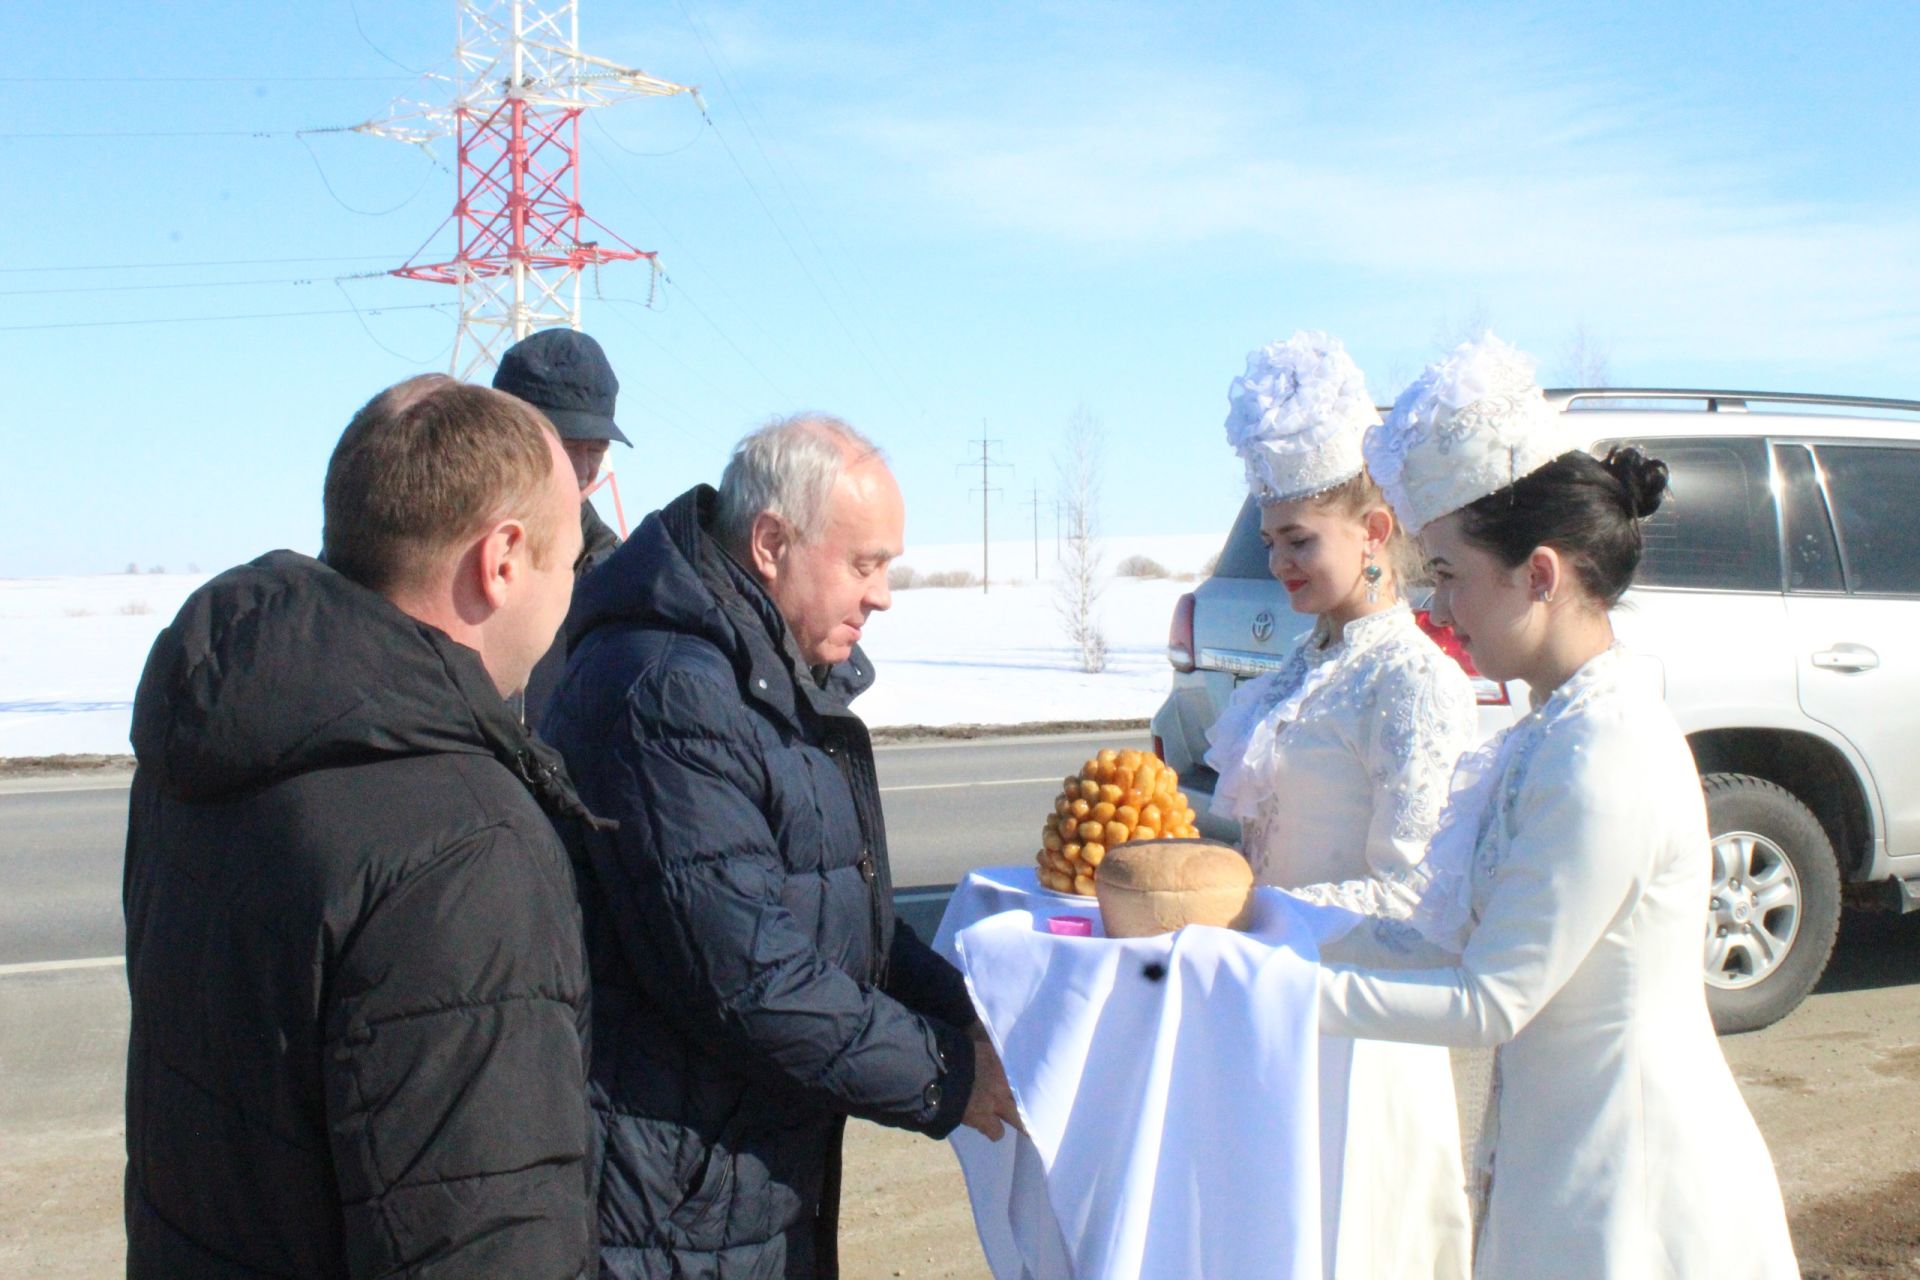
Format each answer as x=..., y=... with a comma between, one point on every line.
x=360, y=1005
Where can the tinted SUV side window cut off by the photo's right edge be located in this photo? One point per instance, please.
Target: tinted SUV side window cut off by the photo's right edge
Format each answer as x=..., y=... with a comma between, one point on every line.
x=1873, y=494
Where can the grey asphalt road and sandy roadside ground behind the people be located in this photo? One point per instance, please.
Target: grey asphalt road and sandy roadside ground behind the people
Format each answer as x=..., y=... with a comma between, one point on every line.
x=1831, y=1085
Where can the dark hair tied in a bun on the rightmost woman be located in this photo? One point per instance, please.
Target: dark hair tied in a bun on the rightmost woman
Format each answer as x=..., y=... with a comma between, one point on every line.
x=1585, y=508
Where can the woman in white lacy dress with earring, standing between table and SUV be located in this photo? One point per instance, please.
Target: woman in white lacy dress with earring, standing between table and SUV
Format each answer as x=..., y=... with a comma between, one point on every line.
x=1337, y=769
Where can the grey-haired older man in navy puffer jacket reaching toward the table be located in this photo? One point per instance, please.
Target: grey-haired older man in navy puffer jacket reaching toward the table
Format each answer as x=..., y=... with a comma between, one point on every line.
x=752, y=987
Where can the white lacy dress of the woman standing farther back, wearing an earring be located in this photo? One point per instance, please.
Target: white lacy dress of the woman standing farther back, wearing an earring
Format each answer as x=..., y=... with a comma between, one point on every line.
x=1337, y=769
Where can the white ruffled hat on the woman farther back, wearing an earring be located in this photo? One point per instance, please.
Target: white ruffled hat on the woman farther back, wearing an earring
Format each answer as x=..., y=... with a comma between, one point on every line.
x=1297, y=417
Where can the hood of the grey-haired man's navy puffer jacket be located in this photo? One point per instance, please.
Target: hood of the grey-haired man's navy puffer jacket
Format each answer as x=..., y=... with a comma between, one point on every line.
x=673, y=575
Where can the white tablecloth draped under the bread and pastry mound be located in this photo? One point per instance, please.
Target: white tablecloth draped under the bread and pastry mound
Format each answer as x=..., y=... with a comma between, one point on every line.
x=1168, y=1087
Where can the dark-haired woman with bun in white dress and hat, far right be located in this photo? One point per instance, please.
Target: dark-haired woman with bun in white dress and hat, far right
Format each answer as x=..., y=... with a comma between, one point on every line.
x=1562, y=899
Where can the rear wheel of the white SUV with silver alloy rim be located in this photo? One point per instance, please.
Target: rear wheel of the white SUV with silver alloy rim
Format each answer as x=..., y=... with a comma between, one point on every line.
x=1775, y=903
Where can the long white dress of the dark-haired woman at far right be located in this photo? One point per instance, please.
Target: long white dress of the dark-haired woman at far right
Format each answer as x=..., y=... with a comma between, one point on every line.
x=1566, y=889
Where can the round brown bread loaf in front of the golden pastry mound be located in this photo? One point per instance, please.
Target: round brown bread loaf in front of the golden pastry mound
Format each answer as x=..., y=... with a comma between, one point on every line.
x=1155, y=888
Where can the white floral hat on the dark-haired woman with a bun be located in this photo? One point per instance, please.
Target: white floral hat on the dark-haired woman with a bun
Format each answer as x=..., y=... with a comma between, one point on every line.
x=1472, y=425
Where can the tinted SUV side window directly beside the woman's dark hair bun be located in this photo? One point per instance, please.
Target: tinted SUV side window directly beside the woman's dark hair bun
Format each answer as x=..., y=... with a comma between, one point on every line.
x=1717, y=529
